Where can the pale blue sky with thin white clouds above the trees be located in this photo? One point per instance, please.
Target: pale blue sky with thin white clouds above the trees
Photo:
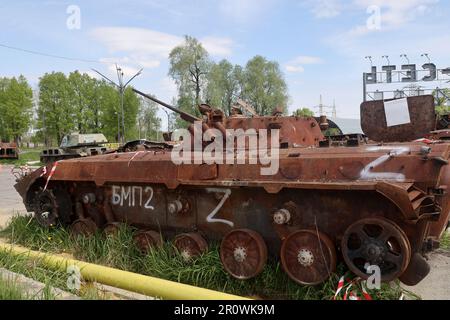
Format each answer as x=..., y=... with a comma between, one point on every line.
x=319, y=44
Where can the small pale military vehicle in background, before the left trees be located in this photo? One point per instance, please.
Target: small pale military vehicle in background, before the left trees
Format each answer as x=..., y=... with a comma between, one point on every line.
x=76, y=145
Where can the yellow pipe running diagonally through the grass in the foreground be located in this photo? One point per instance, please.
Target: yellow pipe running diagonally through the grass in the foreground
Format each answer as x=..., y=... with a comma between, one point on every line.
x=130, y=281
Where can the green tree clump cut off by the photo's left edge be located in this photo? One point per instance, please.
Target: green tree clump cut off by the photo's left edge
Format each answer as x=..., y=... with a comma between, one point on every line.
x=15, y=108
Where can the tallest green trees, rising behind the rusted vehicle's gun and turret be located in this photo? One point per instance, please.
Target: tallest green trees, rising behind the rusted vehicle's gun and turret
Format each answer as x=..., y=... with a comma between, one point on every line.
x=260, y=83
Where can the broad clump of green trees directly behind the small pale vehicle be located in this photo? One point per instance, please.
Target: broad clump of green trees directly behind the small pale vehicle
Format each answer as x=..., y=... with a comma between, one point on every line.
x=83, y=104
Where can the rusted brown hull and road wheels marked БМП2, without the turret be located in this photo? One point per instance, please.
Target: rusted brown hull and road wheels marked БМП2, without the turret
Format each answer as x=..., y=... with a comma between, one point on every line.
x=319, y=200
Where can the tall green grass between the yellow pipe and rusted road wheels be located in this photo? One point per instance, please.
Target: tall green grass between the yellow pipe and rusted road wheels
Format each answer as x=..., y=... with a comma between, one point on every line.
x=120, y=252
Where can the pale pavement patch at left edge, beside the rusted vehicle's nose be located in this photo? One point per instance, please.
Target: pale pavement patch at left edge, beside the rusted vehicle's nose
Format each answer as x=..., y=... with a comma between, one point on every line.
x=10, y=201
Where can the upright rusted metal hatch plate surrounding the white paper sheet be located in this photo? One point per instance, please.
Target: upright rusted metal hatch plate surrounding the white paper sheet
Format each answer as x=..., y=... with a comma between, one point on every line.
x=422, y=120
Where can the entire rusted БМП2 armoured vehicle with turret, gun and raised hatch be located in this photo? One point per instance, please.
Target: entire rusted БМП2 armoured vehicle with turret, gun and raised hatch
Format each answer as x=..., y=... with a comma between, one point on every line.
x=343, y=198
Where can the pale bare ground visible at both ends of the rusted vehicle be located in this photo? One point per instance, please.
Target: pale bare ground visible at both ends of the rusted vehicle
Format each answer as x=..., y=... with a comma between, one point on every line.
x=435, y=286
